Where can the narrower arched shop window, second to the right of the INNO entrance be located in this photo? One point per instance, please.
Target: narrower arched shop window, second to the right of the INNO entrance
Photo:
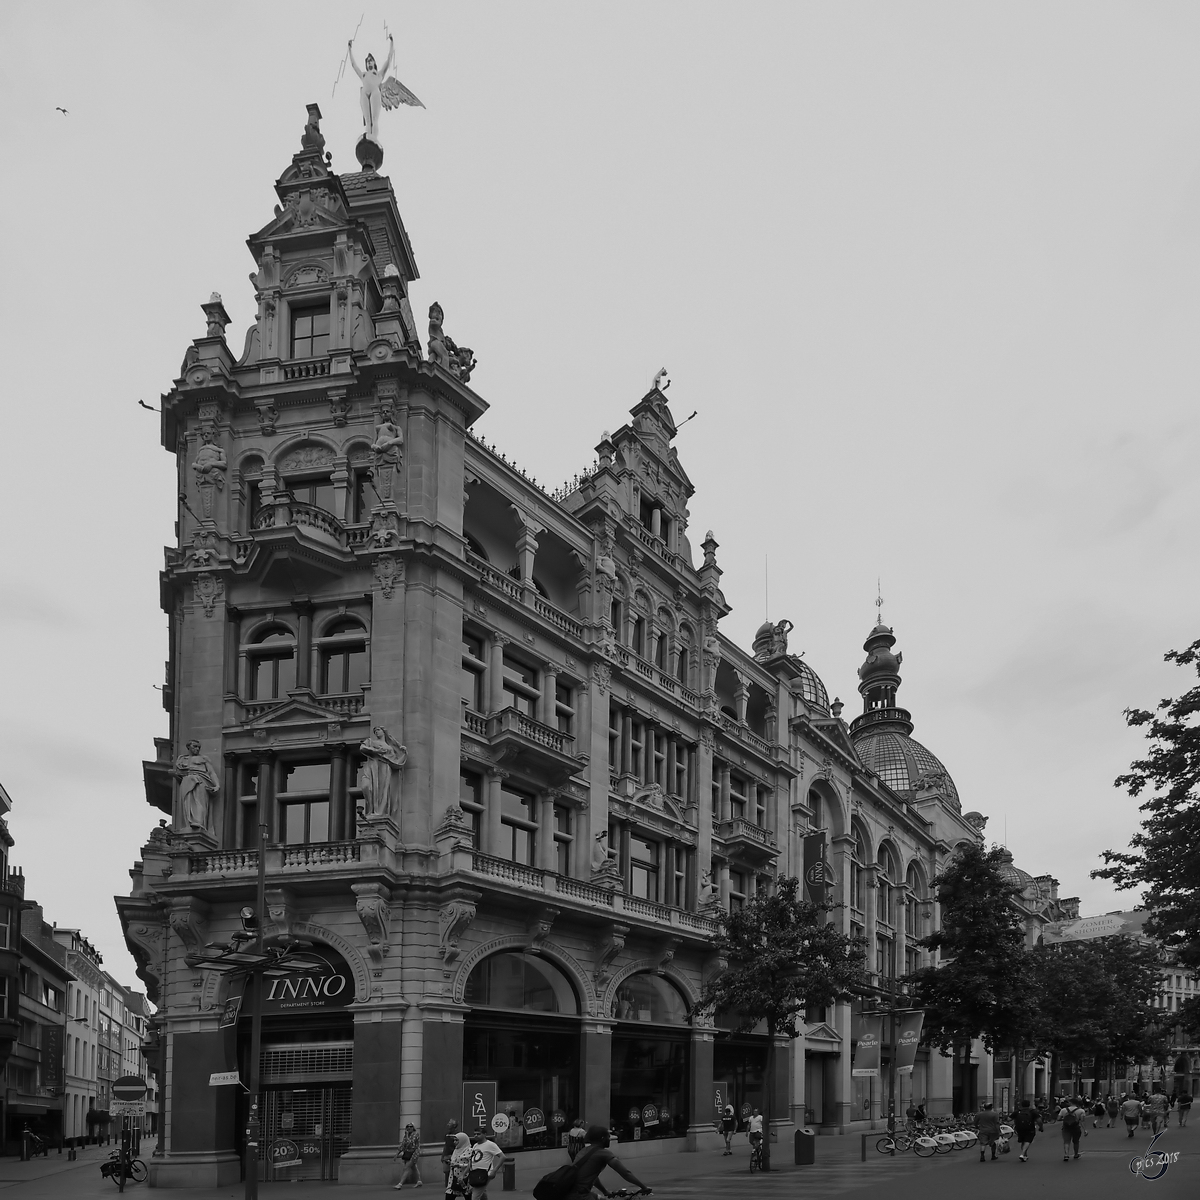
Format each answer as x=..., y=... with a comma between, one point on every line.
x=651, y=1061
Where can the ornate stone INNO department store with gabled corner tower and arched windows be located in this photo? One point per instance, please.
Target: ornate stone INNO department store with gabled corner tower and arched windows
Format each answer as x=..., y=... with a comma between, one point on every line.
x=509, y=766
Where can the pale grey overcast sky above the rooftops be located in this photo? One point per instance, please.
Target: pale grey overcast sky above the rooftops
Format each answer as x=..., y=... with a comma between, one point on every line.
x=927, y=273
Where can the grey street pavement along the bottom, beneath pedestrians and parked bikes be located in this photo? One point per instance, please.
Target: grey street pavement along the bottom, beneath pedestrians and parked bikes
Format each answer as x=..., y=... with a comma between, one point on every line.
x=1102, y=1172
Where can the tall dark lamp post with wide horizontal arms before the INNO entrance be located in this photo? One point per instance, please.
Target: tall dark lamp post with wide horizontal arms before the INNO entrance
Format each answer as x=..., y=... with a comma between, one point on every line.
x=278, y=959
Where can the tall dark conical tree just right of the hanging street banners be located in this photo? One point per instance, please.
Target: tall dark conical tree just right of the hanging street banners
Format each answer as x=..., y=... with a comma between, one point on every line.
x=983, y=987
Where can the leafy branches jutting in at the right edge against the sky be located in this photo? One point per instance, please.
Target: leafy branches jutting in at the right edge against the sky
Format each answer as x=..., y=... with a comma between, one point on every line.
x=1165, y=855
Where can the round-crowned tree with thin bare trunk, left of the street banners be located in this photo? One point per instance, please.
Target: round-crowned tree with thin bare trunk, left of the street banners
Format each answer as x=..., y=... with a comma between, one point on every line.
x=781, y=956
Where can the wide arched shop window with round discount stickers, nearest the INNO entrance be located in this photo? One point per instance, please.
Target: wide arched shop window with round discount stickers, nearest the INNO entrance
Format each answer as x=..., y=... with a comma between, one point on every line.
x=524, y=1036
